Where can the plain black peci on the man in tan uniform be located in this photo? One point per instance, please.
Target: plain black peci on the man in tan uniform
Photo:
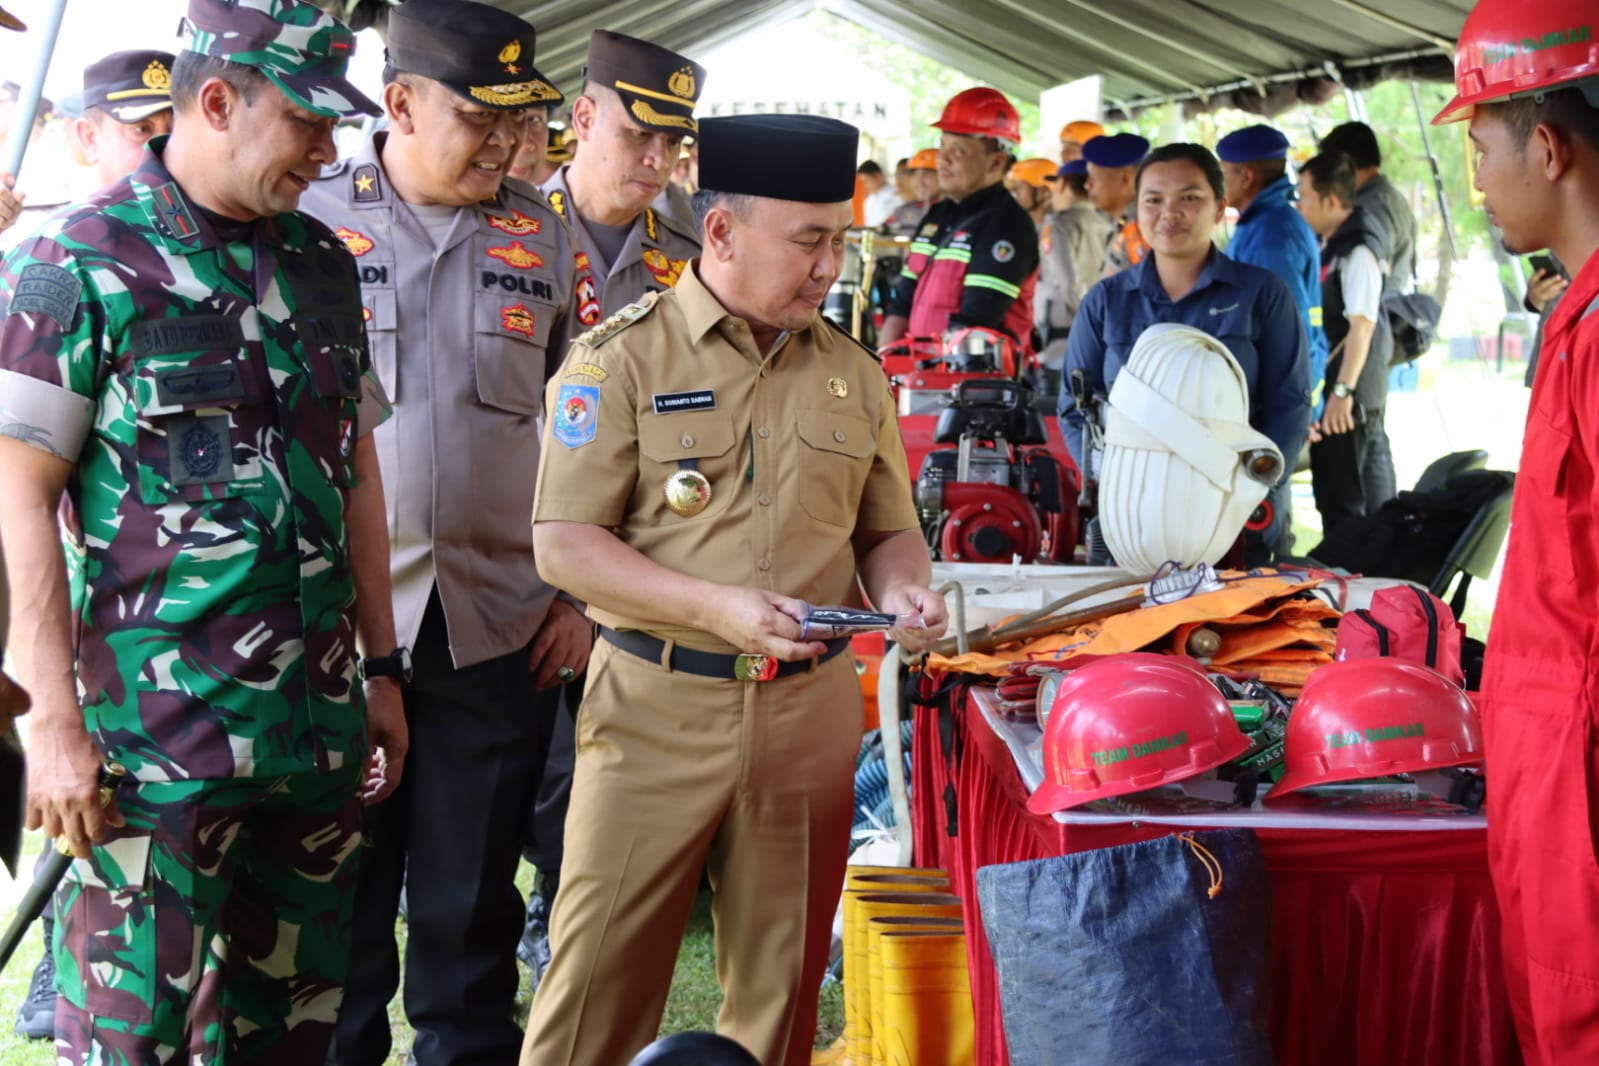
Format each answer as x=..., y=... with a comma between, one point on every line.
x=781, y=157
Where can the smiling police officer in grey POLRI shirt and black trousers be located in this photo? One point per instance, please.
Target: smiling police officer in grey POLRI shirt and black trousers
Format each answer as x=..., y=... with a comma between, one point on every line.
x=469, y=282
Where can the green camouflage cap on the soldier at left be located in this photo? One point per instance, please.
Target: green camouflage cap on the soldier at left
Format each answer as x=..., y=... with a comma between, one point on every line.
x=301, y=49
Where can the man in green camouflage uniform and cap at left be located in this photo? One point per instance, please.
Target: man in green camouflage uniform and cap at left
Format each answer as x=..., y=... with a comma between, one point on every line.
x=185, y=356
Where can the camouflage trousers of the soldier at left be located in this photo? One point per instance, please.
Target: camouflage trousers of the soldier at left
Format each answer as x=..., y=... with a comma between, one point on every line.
x=213, y=929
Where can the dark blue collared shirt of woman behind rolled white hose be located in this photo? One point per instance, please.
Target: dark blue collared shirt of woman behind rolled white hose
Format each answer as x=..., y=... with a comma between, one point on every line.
x=1245, y=308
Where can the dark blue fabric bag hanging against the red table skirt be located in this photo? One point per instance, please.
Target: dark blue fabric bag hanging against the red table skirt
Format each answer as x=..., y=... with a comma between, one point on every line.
x=1142, y=955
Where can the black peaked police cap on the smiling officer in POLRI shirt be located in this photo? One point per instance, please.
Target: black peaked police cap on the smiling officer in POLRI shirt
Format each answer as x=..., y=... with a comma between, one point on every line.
x=479, y=52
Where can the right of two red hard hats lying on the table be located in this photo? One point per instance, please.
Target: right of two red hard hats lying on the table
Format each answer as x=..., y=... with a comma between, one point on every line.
x=1376, y=717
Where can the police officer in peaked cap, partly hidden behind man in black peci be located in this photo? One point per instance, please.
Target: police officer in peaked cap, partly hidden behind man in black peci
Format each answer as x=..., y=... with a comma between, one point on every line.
x=631, y=121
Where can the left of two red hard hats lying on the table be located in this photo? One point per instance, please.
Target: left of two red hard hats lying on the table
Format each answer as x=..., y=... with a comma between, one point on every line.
x=1126, y=723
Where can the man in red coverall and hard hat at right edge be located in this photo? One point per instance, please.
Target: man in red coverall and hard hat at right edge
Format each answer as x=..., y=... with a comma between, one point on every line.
x=1528, y=78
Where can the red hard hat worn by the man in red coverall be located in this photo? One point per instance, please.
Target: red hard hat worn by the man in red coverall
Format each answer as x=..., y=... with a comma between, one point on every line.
x=1517, y=49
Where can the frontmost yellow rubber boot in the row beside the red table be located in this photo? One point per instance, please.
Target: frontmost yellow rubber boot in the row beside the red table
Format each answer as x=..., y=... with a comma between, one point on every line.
x=927, y=1016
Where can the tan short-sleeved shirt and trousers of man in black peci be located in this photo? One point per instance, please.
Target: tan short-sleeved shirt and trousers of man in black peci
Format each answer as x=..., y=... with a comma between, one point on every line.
x=680, y=773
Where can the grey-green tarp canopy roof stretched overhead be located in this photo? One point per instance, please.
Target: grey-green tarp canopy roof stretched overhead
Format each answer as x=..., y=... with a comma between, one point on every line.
x=1259, y=55
